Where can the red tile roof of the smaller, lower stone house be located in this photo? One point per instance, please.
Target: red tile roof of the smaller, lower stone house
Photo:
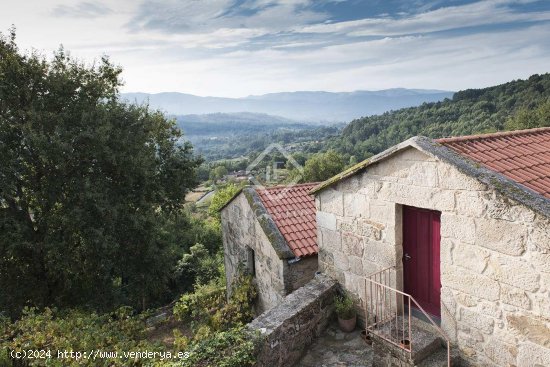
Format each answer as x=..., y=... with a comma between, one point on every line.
x=293, y=211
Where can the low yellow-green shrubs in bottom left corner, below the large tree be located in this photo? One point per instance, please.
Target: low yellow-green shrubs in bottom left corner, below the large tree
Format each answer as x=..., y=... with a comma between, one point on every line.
x=77, y=331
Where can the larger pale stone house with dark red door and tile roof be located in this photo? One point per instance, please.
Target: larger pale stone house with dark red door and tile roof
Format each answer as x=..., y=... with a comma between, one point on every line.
x=458, y=226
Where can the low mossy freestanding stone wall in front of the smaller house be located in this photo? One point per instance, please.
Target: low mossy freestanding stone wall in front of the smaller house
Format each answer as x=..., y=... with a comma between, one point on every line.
x=292, y=326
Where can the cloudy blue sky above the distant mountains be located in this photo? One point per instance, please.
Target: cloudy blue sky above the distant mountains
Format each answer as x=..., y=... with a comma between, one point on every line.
x=235, y=48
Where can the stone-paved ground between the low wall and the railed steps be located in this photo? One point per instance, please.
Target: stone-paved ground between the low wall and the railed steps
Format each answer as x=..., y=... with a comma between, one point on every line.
x=337, y=349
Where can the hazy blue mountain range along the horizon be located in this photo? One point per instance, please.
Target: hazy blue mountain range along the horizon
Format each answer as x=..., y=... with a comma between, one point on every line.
x=301, y=106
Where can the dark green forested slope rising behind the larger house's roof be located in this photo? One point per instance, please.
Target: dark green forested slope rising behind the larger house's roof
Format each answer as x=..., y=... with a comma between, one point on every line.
x=468, y=112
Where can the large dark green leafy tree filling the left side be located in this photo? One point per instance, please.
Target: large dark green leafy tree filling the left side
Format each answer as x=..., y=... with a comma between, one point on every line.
x=87, y=186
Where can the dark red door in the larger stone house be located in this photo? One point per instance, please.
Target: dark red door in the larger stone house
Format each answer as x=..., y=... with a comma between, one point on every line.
x=421, y=240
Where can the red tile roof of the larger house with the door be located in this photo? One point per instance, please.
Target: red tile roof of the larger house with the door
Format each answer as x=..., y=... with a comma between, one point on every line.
x=523, y=155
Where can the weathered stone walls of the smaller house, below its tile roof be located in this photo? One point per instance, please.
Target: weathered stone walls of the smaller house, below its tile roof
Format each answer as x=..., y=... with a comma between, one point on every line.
x=277, y=273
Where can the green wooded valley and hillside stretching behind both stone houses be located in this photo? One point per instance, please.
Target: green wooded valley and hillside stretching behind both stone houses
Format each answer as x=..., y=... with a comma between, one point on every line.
x=519, y=104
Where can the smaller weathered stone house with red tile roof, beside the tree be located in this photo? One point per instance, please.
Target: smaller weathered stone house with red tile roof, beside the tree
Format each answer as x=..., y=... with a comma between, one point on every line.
x=272, y=234
